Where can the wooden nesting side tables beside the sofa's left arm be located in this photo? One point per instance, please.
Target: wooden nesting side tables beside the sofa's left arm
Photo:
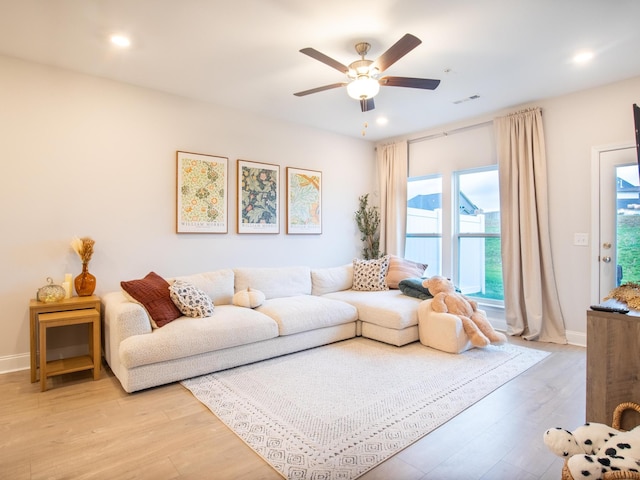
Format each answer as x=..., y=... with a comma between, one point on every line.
x=91, y=315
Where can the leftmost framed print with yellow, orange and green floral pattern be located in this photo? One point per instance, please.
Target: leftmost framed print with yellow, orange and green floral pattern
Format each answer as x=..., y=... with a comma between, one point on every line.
x=202, y=194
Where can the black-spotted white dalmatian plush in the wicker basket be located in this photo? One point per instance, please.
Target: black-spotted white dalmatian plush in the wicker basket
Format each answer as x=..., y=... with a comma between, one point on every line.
x=594, y=449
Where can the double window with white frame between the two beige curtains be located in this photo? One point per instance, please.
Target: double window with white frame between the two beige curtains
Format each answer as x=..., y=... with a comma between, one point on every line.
x=455, y=229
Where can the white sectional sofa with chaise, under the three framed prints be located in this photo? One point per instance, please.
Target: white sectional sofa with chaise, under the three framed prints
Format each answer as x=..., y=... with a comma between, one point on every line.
x=303, y=308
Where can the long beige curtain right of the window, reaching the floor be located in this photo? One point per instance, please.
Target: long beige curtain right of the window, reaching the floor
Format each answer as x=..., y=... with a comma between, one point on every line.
x=532, y=307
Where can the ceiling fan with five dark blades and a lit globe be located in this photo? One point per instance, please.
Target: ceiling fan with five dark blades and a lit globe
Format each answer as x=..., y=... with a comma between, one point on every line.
x=363, y=75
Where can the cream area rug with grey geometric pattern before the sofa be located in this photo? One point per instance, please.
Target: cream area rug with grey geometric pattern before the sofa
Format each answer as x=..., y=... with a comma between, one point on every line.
x=335, y=412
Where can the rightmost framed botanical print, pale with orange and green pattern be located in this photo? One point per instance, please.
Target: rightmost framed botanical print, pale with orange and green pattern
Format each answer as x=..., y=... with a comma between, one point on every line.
x=304, y=201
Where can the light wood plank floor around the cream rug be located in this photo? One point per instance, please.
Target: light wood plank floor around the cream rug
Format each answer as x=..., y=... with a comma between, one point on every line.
x=81, y=429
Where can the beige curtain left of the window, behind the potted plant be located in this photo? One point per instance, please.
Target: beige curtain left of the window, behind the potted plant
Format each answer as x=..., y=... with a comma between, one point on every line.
x=392, y=169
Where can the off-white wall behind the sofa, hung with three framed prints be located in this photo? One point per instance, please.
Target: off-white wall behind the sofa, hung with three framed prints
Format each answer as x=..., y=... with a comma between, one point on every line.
x=86, y=156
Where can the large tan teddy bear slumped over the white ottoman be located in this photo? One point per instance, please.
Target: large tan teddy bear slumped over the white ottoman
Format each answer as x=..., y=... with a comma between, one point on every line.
x=474, y=322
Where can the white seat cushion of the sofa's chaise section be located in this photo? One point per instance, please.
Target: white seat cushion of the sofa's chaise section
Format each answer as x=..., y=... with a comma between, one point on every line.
x=389, y=309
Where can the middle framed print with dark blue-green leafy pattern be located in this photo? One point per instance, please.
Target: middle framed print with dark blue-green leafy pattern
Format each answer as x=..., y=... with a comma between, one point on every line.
x=258, y=197
